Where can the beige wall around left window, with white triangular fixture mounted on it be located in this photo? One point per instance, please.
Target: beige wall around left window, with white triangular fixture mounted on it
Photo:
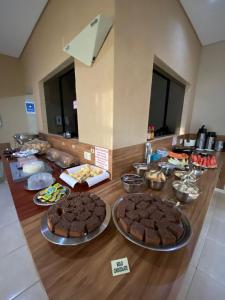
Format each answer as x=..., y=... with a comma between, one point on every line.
x=61, y=22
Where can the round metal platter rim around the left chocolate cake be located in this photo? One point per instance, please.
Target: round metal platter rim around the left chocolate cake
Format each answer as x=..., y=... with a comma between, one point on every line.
x=62, y=241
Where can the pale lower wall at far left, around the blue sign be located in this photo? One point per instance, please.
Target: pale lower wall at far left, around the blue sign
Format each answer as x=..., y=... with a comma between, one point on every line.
x=14, y=118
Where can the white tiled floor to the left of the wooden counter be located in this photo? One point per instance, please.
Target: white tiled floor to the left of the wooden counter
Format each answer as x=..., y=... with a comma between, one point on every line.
x=18, y=276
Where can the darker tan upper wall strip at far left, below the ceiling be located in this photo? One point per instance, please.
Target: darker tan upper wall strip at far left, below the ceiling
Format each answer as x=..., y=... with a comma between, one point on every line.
x=11, y=80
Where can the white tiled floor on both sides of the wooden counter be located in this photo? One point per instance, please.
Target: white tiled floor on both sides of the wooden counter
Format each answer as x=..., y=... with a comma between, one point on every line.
x=204, y=279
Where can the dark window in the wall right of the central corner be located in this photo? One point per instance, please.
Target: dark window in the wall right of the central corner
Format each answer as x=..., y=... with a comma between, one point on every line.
x=167, y=97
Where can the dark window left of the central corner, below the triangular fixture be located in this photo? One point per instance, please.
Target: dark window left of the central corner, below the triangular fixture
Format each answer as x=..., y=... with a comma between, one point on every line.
x=60, y=94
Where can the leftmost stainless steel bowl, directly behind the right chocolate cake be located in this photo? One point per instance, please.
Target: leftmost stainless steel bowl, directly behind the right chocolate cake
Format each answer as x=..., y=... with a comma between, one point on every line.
x=133, y=183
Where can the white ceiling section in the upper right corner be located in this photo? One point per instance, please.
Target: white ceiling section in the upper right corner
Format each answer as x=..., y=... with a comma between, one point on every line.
x=208, y=19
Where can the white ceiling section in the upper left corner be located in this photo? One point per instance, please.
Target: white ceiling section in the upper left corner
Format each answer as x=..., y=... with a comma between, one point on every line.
x=17, y=20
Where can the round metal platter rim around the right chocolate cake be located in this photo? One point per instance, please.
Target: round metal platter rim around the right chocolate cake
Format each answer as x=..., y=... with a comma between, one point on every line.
x=183, y=241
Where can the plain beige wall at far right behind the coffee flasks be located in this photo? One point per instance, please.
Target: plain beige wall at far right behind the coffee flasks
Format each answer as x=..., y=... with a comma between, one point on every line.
x=209, y=105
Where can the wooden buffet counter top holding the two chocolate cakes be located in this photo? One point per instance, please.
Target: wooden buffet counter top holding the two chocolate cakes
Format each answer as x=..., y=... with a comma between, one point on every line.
x=84, y=272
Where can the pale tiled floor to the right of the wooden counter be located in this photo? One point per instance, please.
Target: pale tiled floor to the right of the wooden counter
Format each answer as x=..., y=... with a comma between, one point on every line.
x=205, y=277
